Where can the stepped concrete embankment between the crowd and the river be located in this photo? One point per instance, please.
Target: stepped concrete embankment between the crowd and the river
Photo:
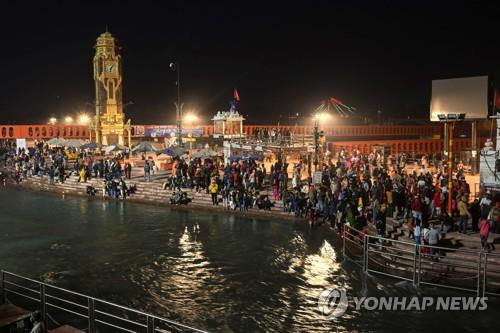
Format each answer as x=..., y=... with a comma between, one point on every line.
x=396, y=257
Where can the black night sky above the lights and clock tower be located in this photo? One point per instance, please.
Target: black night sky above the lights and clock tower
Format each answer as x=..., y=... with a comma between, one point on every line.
x=283, y=57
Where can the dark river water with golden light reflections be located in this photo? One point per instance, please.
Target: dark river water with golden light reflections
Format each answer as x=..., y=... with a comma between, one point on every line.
x=215, y=271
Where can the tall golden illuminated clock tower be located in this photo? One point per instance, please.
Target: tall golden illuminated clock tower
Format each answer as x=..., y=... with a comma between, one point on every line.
x=109, y=123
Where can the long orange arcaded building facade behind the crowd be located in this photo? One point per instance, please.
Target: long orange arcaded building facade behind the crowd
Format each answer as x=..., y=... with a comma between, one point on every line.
x=418, y=139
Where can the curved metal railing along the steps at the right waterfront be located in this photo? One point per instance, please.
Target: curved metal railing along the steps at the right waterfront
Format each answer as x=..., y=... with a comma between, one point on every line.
x=466, y=270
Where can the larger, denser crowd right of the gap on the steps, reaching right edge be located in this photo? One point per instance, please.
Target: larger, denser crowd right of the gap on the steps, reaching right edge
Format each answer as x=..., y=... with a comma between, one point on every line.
x=354, y=188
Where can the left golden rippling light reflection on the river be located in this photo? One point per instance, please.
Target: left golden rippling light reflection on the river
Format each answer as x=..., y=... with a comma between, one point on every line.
x=187, y=283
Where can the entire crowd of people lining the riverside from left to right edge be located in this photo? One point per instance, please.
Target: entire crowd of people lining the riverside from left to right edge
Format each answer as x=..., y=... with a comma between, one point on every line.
x=353, y=188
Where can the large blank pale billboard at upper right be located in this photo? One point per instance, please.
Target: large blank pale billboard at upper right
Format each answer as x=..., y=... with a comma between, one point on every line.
x=469, y=95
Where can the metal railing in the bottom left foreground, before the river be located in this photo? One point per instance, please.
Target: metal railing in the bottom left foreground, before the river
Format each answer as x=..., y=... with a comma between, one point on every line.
x=73, y=307
